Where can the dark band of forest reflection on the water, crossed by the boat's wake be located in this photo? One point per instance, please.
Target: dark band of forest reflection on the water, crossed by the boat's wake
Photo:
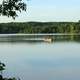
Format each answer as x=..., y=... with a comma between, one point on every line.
x=41, y=38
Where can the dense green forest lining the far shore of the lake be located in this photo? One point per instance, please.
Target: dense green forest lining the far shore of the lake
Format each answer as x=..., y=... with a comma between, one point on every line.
x=40, y=27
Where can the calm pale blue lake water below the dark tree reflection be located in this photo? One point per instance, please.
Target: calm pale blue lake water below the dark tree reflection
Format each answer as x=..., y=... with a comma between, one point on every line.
x=59, y=60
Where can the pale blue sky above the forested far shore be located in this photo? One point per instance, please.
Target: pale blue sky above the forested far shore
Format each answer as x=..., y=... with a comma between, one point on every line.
x=48, y=11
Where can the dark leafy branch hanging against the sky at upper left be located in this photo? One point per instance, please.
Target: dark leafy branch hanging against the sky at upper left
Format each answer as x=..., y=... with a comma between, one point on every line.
x=10, y=7
